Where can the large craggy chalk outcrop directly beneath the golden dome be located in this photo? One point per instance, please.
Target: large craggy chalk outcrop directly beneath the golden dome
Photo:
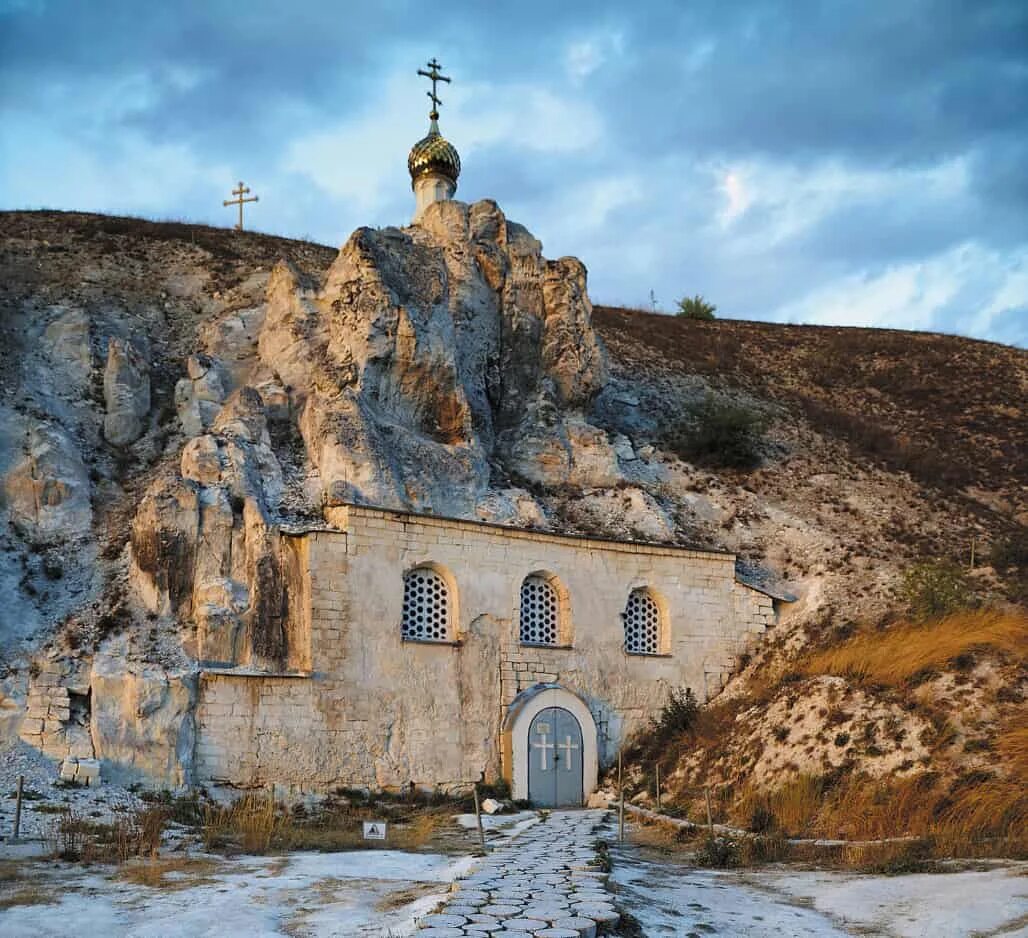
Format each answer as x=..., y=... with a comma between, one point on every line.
x=432, y=350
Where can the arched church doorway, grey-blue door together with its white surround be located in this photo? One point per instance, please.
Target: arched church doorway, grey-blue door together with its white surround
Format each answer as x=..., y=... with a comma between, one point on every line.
x=571, y=773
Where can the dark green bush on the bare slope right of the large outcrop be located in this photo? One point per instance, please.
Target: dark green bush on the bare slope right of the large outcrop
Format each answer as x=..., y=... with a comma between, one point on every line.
x=721, y=435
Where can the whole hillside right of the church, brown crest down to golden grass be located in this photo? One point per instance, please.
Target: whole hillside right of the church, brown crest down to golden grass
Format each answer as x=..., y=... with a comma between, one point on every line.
x=895, y=450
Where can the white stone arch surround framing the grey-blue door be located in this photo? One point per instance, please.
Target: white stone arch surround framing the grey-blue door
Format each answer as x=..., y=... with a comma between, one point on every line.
x=518, y=728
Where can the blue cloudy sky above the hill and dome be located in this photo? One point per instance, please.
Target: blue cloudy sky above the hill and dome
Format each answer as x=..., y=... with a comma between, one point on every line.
x=853, y=164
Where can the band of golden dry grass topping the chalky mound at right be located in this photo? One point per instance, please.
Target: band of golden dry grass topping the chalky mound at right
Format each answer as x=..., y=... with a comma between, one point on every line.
x=895, y=656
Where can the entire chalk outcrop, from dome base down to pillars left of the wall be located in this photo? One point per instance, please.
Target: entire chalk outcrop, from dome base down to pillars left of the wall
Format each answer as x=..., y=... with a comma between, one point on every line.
x=434, y=369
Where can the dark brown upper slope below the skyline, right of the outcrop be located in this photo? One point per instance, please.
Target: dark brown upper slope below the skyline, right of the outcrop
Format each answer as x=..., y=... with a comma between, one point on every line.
x=949, y=411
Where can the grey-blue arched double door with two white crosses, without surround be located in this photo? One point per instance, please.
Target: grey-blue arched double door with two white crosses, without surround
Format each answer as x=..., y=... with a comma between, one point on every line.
x=556, y=760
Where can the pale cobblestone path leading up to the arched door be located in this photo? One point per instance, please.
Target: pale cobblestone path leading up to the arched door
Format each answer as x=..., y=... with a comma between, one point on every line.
x=547, y=883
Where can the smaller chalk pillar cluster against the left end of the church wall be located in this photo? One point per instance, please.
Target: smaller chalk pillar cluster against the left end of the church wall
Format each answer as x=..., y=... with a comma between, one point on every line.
x=204, y=546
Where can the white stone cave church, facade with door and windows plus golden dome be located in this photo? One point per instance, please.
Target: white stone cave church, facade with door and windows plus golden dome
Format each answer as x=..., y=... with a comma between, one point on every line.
x=433, y=652
